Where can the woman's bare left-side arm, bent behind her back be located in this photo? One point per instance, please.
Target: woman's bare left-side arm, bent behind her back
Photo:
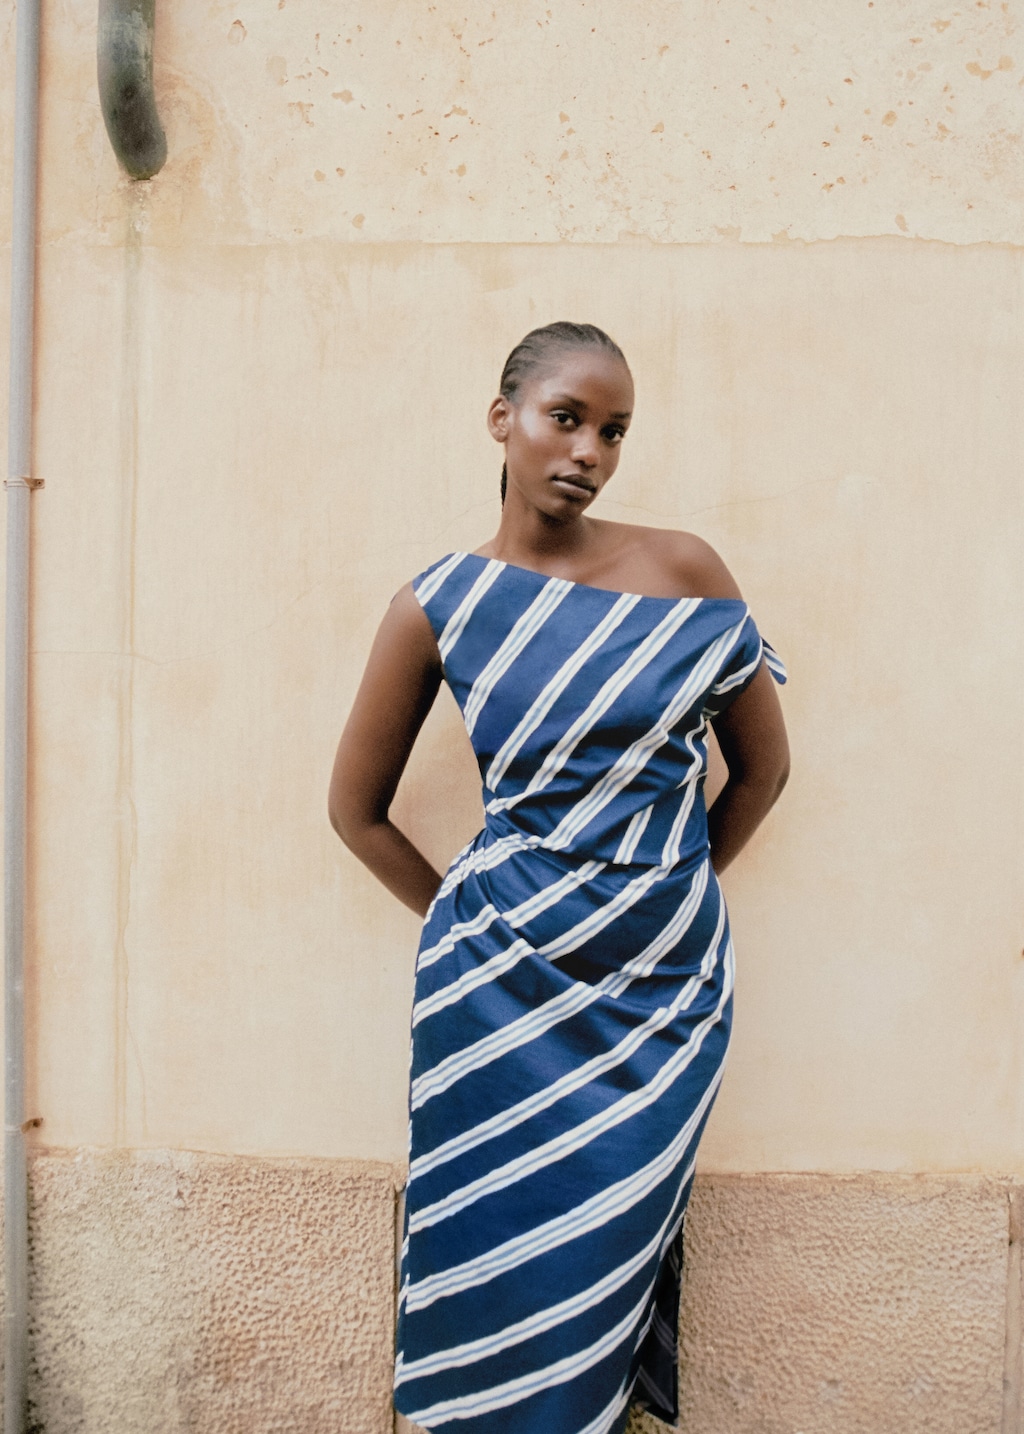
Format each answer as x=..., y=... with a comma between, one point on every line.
x=397, y=693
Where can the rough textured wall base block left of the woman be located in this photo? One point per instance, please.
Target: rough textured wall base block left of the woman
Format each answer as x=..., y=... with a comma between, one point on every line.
x=183, y=1293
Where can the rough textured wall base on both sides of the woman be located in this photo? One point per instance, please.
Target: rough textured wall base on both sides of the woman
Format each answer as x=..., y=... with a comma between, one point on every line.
x=181, y=1293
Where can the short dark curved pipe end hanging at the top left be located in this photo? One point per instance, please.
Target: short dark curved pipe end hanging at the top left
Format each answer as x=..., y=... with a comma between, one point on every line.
x=125, y=72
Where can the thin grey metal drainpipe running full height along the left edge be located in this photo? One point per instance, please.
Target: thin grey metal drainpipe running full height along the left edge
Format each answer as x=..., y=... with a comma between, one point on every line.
x=16, y=709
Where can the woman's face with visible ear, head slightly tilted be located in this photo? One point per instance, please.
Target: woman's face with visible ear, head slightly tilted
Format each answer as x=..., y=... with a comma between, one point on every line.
x=563, y=434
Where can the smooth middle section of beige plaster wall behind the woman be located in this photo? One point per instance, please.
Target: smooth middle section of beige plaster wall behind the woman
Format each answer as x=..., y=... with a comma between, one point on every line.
x=223, y=528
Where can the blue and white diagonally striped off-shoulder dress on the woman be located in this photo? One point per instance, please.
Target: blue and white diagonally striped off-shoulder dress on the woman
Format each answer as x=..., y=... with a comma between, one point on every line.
x=573, y=1005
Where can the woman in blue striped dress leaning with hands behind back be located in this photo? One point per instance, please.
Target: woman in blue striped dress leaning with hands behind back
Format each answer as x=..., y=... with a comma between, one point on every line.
x=574, y=979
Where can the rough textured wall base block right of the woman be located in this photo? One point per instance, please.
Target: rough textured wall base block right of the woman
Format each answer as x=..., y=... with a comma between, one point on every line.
x=848, y=1306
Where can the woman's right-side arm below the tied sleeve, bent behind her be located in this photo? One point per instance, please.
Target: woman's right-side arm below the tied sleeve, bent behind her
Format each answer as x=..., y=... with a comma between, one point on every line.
x=752, y=736
